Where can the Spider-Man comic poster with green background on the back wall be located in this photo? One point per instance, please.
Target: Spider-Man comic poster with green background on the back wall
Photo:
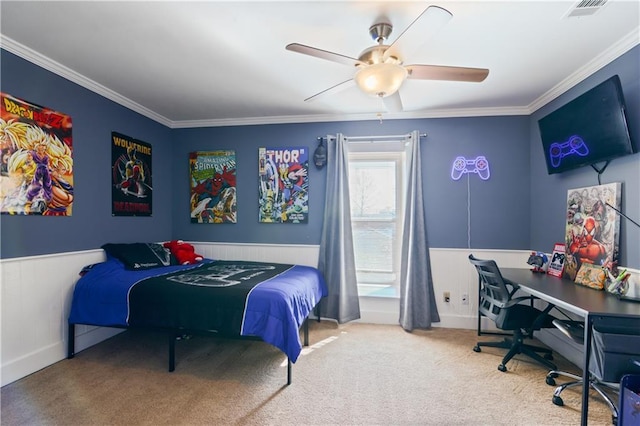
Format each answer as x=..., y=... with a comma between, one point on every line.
x=213, y=187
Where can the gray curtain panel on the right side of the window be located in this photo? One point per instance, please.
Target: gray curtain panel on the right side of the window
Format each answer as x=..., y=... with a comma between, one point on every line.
x=417, y=300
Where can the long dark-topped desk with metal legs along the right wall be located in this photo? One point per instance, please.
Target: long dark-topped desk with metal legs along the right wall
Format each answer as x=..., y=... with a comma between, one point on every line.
x=580, y=300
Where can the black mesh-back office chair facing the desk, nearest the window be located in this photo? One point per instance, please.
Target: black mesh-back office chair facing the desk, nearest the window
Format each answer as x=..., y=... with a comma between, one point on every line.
x=497, y=302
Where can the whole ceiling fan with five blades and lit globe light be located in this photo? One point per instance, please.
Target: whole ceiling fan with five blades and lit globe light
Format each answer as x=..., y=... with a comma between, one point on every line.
x=380, y=69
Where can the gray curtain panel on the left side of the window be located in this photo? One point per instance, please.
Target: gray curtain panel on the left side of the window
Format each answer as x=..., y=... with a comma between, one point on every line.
x=337, y=260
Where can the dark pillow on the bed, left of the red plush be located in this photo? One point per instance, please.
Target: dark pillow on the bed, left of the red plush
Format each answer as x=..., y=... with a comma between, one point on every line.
x=140, y=256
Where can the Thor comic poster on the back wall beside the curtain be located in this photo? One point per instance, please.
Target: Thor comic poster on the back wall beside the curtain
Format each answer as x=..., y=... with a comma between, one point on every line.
x=284, y=185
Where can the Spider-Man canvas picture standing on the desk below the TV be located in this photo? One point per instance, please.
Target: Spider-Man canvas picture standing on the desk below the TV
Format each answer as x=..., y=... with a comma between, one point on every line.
x=592, y=227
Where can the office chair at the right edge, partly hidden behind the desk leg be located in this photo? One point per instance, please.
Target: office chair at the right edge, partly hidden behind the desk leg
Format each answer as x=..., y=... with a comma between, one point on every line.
x=615, y=352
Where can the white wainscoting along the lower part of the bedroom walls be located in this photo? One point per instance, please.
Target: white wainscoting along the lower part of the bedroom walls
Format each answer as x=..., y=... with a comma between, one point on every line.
x=36, y=297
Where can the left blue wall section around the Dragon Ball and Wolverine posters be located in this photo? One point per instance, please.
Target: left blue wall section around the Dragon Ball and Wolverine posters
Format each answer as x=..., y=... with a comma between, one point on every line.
x=94, y=118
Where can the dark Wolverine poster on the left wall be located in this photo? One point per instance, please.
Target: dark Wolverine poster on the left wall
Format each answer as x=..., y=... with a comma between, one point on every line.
x=132, y=187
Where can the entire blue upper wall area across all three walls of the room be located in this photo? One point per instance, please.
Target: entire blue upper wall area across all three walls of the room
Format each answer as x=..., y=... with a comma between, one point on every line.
x=519, y=207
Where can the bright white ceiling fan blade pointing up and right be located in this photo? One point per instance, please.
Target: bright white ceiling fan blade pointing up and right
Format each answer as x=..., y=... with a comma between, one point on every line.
x=430, y=21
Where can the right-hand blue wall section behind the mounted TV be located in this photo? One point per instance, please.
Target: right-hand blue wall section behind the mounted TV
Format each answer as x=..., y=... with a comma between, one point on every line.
x=549, y=192
